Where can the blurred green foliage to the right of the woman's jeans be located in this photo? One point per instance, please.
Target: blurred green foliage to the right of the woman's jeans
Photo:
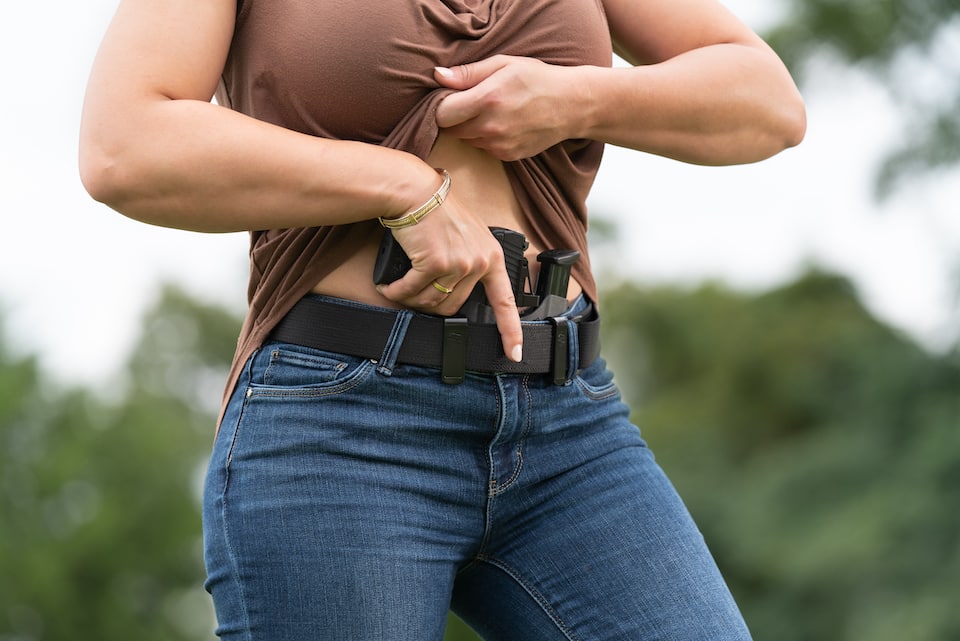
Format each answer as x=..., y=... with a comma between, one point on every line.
x=818, y=449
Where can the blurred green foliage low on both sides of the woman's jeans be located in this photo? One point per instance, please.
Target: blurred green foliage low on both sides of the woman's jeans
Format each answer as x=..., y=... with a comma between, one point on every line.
x=818, y=449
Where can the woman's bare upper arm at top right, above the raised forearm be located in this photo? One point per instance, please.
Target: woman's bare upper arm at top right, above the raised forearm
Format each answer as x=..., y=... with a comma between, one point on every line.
x=651, y=31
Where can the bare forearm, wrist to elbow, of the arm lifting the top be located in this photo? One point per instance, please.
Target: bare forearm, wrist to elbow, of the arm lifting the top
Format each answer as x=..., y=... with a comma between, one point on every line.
x=717, y=105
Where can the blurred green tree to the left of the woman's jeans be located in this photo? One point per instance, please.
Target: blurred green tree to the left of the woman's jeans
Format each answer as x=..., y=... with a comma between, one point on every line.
x=99, y=519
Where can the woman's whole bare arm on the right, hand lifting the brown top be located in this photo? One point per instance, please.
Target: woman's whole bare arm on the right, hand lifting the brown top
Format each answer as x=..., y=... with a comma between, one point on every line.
x=705, y=90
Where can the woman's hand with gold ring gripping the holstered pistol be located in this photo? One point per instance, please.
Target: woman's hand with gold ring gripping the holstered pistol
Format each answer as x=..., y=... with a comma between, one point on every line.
x=453, y=250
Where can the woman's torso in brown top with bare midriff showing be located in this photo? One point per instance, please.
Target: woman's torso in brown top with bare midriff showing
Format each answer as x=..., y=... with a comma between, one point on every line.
x=363, y=70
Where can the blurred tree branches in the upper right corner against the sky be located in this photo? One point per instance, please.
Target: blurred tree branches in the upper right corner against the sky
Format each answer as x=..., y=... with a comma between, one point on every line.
x=910, y=46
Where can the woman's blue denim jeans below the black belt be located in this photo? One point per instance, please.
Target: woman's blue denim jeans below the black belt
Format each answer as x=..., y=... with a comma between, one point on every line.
x=357, y=500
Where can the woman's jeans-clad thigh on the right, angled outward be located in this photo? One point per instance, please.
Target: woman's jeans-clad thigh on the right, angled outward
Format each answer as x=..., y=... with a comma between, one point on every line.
x=590, y=541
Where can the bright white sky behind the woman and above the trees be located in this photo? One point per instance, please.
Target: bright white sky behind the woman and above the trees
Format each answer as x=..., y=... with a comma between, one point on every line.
x=74, y=276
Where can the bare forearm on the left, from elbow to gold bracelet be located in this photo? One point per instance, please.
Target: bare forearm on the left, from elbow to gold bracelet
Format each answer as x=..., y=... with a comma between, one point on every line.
x=194, y=165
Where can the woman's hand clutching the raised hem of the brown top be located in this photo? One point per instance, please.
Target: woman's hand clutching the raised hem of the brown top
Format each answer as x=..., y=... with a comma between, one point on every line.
x=509, y=106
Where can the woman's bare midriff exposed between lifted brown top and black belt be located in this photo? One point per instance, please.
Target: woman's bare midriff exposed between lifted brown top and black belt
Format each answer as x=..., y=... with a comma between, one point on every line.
x=478, y=178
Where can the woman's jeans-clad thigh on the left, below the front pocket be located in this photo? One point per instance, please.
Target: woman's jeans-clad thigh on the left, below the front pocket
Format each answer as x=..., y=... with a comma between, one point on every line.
x=339, y=503
